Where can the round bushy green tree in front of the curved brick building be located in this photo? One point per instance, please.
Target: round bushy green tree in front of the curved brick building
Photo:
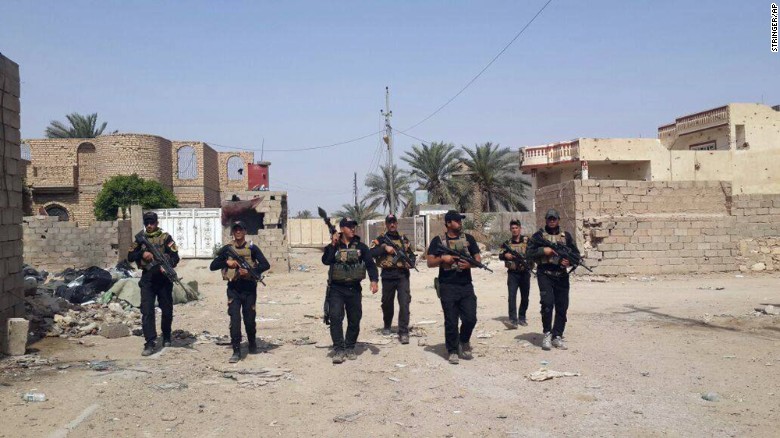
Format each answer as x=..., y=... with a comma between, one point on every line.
x=122, y=191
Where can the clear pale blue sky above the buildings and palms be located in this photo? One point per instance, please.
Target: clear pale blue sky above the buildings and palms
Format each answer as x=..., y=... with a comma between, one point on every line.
x=302, y=74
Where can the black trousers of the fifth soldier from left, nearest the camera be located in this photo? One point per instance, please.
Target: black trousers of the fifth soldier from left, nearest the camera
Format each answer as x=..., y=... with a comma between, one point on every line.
x=458, y=303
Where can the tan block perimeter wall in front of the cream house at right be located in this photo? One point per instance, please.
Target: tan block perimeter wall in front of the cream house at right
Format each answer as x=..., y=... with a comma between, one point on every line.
x=637, y=227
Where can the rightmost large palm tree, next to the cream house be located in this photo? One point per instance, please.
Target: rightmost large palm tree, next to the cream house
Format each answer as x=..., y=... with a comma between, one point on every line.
x=493, y=178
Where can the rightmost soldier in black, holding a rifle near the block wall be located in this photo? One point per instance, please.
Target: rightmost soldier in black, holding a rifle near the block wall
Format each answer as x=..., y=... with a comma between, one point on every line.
x=553, y=278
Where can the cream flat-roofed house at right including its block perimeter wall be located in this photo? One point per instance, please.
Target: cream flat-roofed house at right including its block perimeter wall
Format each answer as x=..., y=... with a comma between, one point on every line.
x=701, y=197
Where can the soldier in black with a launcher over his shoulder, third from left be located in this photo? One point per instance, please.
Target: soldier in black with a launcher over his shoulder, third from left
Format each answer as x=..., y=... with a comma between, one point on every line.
x=349, y=259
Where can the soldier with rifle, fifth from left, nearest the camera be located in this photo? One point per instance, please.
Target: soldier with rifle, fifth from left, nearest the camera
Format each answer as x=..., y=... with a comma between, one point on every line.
x=455, y=289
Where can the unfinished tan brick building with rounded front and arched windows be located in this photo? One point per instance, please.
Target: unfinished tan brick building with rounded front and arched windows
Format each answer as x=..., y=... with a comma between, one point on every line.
x=65, y=175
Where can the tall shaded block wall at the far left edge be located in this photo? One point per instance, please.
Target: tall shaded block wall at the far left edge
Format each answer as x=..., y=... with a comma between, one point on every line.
x=11, y=294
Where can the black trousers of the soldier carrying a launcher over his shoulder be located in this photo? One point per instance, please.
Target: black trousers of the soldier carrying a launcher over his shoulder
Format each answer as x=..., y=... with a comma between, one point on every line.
x=345, y=299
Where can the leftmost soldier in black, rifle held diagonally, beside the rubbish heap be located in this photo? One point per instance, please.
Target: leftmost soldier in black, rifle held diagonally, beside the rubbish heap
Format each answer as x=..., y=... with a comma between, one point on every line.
x=154, y=284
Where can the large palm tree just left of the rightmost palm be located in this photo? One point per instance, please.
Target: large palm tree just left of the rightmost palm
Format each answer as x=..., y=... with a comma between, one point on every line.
x=434, y=168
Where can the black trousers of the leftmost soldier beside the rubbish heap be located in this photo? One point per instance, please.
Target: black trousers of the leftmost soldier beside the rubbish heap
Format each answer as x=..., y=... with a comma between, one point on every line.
x=161, y=289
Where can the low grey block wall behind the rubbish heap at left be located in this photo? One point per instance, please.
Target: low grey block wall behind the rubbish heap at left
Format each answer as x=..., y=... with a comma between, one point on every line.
x=55, y=245
